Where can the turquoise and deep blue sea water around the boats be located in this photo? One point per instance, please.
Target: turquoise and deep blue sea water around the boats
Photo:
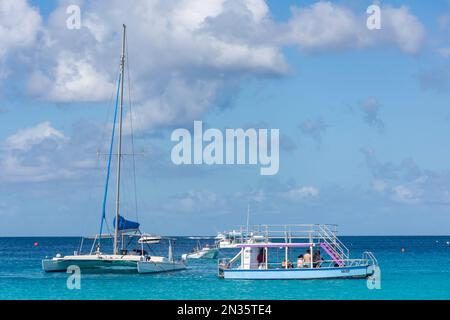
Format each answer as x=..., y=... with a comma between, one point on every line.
x=421, y=272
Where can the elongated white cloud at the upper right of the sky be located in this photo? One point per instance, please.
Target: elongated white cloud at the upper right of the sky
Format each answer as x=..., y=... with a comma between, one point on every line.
x=328, y=26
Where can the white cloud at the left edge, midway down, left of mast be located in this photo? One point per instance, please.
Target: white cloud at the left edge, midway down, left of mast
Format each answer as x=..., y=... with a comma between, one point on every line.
x=42, y=153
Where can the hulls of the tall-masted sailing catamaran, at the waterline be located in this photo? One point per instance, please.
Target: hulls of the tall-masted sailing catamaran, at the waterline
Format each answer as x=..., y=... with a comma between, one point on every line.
x=111, y=264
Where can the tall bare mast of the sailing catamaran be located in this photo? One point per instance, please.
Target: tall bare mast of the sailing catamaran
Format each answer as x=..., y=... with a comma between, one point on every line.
x=119, y=144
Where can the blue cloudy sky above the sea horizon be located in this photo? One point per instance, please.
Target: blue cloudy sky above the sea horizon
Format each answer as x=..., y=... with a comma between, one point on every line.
x=363, y=114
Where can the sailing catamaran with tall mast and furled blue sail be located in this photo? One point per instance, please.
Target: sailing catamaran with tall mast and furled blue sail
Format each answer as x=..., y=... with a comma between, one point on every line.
x=121, y=258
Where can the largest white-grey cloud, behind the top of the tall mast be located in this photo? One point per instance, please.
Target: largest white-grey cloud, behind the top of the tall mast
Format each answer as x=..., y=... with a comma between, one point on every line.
x=180, y=60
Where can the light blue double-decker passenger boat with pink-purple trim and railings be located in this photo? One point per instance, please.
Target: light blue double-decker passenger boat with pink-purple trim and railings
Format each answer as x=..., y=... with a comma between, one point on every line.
x=295, y=252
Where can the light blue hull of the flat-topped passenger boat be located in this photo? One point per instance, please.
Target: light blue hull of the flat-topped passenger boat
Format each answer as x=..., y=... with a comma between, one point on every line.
x=299, y=274
